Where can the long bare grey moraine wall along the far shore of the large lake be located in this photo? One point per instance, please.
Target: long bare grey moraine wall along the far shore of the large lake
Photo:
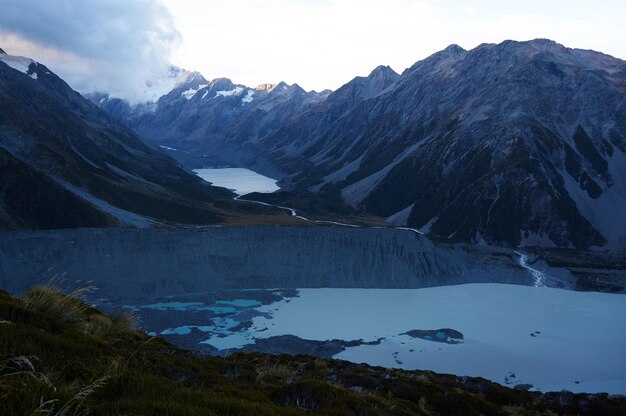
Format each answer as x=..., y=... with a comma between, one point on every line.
x=130, y=263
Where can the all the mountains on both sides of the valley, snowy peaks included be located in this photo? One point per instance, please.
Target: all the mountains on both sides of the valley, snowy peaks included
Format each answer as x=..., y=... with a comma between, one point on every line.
x=516, y=144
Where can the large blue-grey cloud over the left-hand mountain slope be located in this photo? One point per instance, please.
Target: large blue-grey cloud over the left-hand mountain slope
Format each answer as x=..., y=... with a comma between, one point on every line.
x=106, y=45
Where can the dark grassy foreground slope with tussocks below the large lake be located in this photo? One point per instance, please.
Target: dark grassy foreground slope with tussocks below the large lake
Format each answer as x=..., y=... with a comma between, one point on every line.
x=60, y=356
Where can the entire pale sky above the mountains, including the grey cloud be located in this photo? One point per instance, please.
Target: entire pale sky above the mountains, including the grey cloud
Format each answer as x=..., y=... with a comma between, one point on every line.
x=115, y=45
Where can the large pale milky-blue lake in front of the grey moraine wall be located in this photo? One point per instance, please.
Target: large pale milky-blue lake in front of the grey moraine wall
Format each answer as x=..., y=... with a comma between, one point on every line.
x=549, y=338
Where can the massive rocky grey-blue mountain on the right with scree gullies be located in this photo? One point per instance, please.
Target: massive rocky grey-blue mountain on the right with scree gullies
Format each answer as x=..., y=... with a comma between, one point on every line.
x=520, y=143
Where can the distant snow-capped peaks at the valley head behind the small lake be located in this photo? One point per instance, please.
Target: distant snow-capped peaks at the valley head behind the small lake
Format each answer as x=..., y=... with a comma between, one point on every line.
x=208, y=121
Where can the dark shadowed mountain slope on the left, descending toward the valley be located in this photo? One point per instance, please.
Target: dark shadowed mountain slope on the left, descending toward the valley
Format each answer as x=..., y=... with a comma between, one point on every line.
x=66, y=163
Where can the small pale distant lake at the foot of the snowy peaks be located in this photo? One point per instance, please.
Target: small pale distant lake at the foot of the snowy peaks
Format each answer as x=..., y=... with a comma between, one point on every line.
x=239, y=180
